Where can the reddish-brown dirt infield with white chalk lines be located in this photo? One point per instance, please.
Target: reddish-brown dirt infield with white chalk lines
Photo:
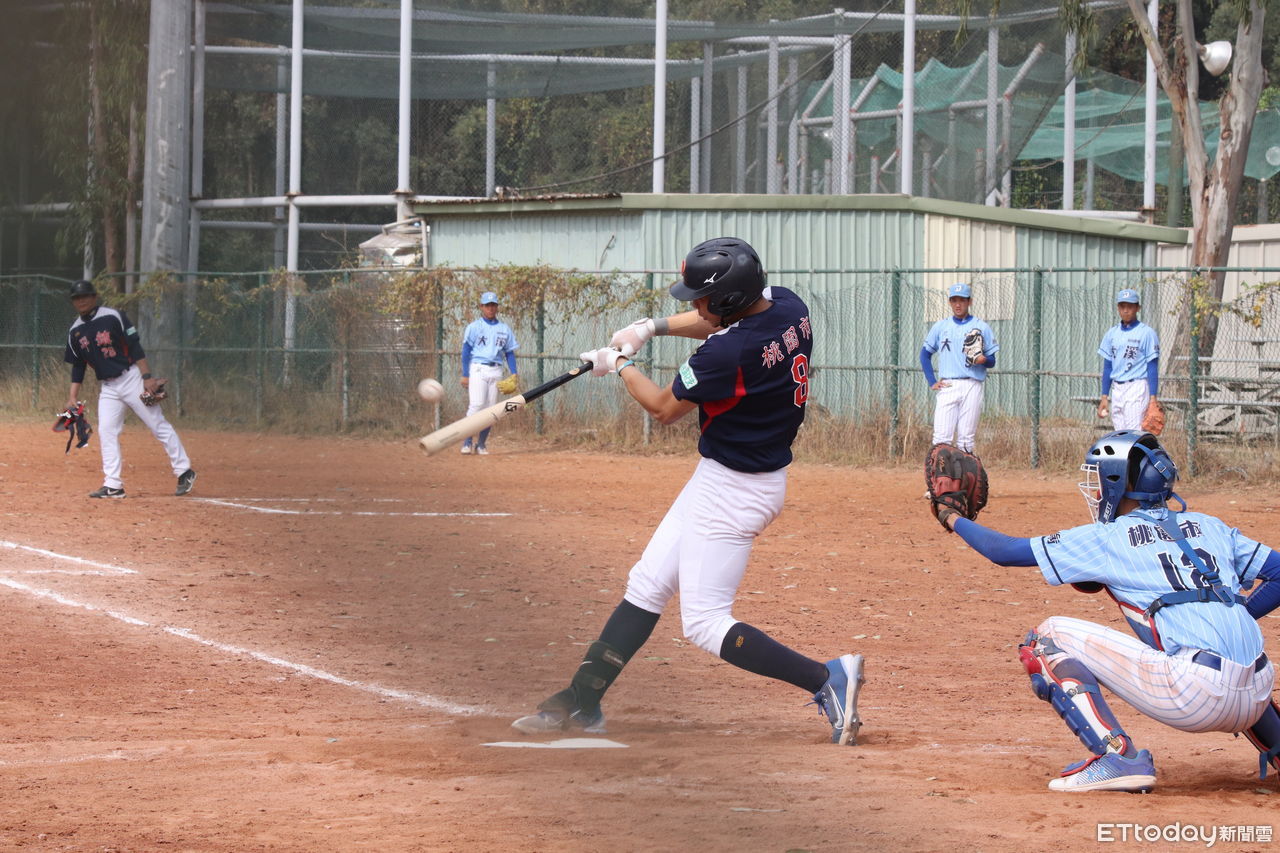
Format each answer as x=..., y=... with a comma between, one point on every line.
x=313, y=650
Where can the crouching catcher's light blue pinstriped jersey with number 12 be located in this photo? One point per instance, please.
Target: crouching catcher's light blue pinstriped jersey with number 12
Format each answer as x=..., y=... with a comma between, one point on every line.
x=1139, y=565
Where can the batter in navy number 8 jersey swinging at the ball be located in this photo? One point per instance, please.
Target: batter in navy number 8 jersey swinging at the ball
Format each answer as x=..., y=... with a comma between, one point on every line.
x=749, y=382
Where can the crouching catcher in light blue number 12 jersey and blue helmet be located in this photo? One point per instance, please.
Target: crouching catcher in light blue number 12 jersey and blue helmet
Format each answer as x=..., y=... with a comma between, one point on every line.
x=1197, y=662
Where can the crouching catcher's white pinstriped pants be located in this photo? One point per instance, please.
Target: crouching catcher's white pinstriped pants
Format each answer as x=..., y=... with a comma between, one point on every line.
x=1169, y=688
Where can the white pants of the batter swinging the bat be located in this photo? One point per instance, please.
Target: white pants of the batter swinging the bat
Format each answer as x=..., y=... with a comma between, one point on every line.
x=702, y=549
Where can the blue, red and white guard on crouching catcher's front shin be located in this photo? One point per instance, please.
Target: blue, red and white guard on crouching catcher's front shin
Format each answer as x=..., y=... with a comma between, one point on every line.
x=1073, y=691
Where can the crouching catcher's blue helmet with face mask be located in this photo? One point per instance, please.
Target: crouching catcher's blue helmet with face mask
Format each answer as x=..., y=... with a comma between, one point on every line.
x=1127, y=464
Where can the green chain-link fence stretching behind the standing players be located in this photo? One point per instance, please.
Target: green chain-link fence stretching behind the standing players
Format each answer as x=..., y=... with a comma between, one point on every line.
x=344, y=350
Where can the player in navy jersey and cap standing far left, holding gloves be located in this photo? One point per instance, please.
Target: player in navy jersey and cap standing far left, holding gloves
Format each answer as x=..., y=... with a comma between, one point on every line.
x=107, y=340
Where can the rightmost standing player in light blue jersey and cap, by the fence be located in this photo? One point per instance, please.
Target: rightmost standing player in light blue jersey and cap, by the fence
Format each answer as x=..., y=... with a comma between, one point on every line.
x=1131, y=366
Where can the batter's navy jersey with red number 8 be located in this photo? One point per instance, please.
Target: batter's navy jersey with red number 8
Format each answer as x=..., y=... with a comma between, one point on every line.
x=751, y=384
